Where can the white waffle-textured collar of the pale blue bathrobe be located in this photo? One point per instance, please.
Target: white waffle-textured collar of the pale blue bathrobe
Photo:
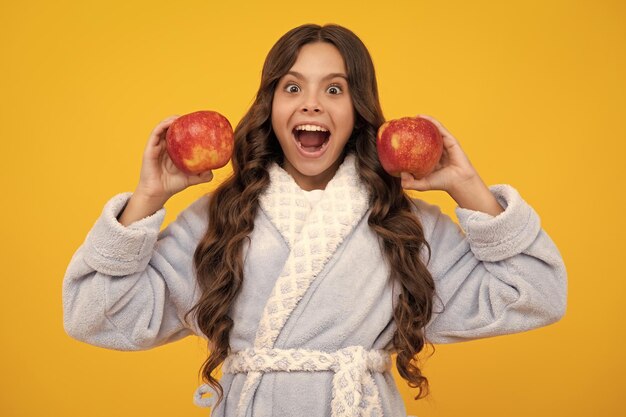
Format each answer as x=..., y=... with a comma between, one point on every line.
x=312, y=234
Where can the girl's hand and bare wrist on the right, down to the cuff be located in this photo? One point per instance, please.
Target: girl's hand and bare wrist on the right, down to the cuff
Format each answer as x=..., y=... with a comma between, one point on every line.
x=455, y=175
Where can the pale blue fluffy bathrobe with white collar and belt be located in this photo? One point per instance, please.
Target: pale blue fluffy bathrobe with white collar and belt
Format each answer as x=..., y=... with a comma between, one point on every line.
x=313, y=323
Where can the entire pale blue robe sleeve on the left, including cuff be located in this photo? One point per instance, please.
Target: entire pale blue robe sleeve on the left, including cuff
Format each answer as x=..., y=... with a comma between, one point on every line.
x=128, y=288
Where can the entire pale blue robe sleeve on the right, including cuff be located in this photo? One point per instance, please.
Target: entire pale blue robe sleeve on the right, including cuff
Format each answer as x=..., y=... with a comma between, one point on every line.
x=493, y=275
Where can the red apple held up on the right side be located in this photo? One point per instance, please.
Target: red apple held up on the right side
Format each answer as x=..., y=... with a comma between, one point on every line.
x=409, y=144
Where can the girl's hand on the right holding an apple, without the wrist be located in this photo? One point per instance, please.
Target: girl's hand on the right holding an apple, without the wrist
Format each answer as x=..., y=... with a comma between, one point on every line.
x=451, y=173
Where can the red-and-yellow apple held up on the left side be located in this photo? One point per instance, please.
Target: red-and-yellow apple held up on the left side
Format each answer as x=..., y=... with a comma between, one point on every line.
x=200, y=141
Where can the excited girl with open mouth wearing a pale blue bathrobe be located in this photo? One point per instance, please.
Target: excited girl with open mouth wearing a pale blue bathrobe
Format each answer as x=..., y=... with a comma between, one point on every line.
x=310, y=265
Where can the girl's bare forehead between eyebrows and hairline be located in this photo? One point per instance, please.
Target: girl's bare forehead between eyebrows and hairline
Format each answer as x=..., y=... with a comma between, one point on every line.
x=319, y=58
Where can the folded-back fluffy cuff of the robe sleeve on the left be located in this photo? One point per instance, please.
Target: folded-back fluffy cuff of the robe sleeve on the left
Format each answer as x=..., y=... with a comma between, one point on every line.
x=114, y=249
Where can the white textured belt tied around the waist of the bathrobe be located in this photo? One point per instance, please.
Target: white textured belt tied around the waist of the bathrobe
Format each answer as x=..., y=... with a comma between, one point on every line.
x=355, y=393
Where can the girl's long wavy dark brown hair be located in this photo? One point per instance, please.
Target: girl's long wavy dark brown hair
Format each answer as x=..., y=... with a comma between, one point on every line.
x=232, y=209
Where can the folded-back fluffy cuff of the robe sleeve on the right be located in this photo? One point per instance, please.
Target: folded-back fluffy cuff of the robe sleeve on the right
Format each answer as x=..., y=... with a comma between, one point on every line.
x=511, y=232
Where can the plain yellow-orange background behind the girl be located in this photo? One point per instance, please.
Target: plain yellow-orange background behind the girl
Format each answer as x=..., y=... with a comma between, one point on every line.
x=534, y=90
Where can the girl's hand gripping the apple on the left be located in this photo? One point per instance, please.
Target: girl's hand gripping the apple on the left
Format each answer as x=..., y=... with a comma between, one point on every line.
x=160, y=178
